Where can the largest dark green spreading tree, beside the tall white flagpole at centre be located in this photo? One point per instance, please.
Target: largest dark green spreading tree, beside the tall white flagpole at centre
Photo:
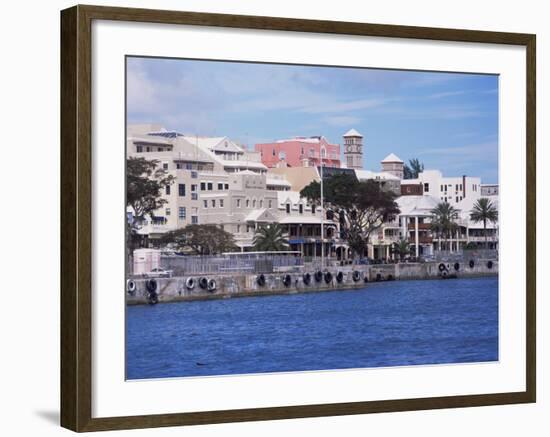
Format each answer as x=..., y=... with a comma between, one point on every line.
x=361, y=207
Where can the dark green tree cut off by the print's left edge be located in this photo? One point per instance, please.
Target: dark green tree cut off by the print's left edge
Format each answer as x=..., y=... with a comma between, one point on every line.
x=145, y=182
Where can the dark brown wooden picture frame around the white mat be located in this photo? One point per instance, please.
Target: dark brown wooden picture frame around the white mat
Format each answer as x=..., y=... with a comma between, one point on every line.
x=76, y=221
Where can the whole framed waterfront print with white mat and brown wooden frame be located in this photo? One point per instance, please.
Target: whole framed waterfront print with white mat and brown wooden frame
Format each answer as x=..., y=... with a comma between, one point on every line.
x=268, y=218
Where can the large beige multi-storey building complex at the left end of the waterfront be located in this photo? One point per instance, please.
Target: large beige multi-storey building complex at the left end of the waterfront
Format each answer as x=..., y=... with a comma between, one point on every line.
x=217, y=181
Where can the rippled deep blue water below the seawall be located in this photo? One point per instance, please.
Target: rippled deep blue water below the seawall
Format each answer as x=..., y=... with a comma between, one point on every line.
x=385, y=324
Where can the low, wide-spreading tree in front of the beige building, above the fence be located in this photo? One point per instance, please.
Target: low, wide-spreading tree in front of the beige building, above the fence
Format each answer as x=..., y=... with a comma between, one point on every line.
x=201, y=239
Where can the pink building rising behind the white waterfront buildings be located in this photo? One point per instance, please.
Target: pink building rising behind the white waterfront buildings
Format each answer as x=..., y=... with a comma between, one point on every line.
x=300, y=152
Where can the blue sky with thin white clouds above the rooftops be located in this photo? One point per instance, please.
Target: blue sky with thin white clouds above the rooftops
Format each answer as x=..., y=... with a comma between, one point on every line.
x=447, y=120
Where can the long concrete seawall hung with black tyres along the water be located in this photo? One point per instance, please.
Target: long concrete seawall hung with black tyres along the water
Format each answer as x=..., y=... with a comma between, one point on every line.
x=241, y=285
